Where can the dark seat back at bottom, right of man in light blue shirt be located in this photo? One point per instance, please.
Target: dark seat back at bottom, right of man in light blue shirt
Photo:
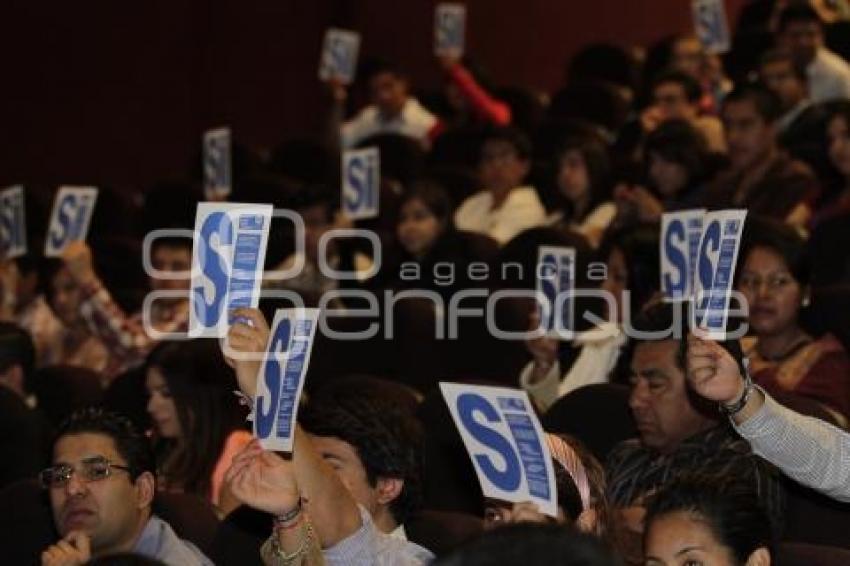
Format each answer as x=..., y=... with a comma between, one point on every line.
x=441, y=532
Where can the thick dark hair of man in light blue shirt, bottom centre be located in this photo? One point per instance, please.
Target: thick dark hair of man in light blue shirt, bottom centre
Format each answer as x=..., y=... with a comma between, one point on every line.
x=387, y=440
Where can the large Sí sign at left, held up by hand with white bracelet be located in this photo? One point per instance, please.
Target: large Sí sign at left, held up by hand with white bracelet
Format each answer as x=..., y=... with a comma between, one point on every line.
x=228, y=256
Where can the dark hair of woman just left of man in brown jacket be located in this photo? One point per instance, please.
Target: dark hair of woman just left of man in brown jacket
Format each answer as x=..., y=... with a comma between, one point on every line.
x=677, y=141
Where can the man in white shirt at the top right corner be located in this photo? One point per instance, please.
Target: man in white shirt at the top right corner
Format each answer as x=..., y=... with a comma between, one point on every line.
x=801, y=32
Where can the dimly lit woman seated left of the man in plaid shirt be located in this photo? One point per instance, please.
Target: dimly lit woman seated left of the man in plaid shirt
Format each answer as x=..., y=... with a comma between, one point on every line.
x=75, y=345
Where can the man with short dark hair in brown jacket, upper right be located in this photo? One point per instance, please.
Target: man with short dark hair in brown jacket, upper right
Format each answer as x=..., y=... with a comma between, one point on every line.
x=761, y=176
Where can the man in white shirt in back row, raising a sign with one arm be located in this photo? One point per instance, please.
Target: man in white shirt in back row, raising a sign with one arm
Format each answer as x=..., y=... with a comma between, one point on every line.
x=392, y=110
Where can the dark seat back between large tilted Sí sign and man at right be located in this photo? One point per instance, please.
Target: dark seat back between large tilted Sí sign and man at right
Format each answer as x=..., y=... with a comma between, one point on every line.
x=598, y=415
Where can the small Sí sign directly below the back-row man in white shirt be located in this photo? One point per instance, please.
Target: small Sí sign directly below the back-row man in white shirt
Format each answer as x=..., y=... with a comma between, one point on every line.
x=361, y=178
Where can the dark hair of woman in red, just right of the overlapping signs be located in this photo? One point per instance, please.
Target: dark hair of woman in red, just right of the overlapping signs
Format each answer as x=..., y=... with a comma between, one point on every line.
x=760, y=232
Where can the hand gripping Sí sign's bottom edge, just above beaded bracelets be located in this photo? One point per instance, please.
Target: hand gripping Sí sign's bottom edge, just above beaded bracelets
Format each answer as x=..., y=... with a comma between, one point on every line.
x=263, y=480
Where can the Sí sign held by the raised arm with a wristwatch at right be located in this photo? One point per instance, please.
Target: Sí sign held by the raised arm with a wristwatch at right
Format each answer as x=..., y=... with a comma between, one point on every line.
x=715, y=269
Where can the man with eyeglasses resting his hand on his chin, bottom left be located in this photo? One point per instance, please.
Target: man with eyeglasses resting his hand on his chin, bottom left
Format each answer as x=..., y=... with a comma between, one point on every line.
x=101, y=485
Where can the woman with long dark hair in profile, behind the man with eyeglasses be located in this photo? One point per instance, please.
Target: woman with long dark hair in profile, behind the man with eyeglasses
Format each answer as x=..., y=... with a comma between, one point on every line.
x=197, y=426
